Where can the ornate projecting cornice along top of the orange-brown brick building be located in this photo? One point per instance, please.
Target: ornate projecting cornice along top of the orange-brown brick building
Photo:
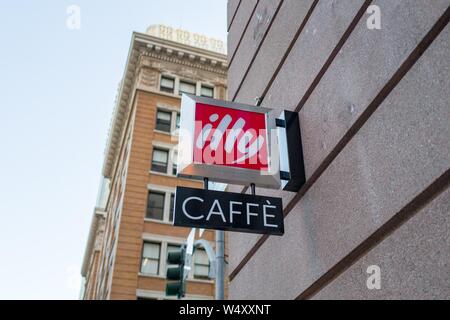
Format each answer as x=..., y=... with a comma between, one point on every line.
x=158, y=49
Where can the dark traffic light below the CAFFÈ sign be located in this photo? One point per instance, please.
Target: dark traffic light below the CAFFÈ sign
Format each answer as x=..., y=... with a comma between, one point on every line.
x=178, y=287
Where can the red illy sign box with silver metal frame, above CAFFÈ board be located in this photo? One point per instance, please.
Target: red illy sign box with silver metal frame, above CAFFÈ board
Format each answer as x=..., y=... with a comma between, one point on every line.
x=226, y=142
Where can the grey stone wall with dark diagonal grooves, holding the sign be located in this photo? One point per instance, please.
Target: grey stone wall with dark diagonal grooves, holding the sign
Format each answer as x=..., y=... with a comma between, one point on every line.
x=370, y=82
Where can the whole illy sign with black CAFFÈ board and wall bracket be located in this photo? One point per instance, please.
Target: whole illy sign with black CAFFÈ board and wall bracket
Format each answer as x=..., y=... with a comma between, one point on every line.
x=236, y=144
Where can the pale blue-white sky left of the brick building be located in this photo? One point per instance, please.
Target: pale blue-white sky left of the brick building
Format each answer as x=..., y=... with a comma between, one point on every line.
x=57, y=88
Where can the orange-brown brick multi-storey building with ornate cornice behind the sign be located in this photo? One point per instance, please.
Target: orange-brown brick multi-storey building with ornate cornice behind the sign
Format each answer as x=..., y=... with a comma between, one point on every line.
x=131, y=230
